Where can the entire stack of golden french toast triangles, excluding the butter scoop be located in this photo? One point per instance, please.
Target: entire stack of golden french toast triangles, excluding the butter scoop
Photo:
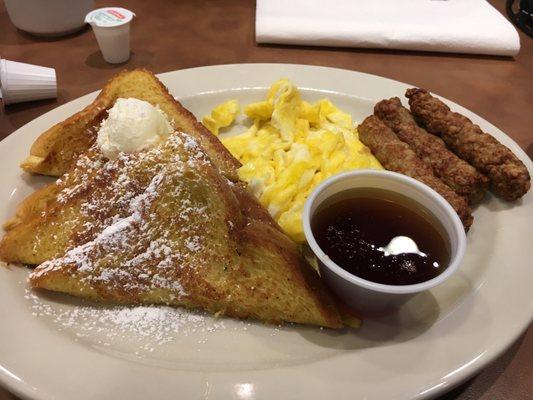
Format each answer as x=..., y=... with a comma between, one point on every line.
x=247, y=267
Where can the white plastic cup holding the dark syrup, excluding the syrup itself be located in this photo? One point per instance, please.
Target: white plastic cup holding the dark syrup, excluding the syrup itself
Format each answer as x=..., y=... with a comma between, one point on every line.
x=364, y=297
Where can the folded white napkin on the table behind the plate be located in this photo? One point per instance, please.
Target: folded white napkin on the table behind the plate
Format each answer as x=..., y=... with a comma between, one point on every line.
x=459, y=26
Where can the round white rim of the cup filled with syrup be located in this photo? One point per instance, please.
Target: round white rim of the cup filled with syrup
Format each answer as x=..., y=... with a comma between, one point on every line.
x=457, y=231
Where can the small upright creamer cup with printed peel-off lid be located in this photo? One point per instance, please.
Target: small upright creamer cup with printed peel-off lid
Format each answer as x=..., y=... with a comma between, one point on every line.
x=111, y=26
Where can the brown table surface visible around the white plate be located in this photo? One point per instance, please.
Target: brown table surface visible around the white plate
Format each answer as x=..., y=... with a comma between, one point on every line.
x=169, y=36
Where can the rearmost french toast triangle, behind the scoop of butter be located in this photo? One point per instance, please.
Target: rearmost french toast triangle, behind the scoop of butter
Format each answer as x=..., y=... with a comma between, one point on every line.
x=55, y=150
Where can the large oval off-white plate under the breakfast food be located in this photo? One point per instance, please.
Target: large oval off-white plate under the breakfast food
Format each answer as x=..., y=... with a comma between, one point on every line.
x=438, y=340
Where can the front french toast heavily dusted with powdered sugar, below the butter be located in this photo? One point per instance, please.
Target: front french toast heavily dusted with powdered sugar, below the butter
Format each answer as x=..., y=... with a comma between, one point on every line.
x=165, y=226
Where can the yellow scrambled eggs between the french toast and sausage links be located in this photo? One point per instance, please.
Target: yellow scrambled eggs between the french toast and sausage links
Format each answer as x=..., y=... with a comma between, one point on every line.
x=290, y=148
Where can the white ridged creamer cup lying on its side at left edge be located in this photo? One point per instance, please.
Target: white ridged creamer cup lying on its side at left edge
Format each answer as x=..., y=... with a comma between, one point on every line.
x=21, y=82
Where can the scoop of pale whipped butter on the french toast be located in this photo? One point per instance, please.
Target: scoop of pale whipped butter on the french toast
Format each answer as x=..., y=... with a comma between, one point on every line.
x=132, y=125
